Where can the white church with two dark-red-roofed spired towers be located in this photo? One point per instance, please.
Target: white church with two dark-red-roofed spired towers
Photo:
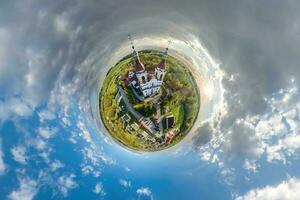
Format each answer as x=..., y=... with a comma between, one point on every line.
x=148, y=83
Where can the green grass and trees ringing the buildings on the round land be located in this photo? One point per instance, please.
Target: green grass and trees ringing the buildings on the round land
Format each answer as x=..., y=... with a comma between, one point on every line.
x=183, y=100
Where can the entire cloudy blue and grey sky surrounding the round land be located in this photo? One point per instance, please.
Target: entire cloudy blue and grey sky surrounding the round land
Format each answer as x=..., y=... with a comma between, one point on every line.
x=54, y=57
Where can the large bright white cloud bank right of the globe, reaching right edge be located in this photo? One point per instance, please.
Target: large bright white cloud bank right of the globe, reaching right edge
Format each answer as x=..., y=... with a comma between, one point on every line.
x=274, y=133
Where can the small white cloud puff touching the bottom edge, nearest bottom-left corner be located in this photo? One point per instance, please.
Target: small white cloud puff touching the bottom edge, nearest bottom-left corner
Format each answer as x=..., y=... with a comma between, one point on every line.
x=26, y=191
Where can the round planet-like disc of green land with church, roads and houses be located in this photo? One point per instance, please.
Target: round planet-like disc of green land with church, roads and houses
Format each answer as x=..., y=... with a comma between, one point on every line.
x=155, y=122
